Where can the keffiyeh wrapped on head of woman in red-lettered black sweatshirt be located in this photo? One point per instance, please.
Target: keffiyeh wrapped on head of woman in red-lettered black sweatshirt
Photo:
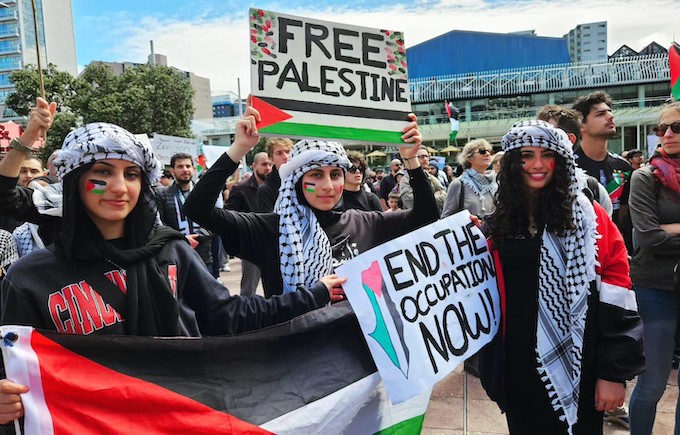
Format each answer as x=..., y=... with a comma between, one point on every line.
x=101, y=141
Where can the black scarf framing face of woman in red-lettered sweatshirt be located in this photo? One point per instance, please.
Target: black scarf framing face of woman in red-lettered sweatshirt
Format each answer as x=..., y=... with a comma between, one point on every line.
x=80, y=241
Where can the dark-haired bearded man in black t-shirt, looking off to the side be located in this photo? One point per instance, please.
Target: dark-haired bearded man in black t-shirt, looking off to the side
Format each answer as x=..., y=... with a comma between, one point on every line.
x=593, y=156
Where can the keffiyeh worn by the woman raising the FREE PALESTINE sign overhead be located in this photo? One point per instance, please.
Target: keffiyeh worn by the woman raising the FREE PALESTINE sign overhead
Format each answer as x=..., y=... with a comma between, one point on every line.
x=306, y=253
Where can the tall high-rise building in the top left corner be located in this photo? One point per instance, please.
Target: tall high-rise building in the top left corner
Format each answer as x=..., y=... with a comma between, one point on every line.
x=18, y=43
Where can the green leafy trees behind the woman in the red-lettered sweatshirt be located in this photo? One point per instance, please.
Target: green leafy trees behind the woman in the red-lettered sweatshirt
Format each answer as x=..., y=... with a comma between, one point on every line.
x=144, y=99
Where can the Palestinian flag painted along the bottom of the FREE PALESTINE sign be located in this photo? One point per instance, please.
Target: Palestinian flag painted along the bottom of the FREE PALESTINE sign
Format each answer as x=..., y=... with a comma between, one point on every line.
x=305, y=119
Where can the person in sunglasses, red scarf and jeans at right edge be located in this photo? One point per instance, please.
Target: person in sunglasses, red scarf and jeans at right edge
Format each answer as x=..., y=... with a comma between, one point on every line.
x=655, y=211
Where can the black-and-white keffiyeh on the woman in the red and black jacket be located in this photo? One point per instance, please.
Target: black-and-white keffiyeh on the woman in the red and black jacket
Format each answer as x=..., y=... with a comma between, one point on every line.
x=566, y=269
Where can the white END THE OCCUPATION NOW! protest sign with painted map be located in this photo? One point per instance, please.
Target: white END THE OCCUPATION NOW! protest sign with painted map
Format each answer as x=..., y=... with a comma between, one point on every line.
x=425, y=301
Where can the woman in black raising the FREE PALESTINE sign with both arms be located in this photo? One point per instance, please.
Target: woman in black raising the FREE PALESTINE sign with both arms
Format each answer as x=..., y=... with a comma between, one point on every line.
x=306, y=237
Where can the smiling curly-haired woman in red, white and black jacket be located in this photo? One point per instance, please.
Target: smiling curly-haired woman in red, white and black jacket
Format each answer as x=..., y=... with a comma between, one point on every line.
x=566, y=345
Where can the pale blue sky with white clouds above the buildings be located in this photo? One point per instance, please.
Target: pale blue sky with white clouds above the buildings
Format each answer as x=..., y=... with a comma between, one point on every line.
x=210, y=37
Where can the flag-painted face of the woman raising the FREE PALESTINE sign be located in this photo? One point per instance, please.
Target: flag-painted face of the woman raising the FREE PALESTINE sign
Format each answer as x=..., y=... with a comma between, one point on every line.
x=323, y=187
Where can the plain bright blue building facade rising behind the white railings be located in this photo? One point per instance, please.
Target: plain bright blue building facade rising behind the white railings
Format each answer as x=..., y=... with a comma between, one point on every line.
x=459, y=52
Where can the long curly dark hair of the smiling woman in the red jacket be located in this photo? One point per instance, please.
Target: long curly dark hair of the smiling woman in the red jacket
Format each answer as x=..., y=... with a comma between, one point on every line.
x=552, y=208
